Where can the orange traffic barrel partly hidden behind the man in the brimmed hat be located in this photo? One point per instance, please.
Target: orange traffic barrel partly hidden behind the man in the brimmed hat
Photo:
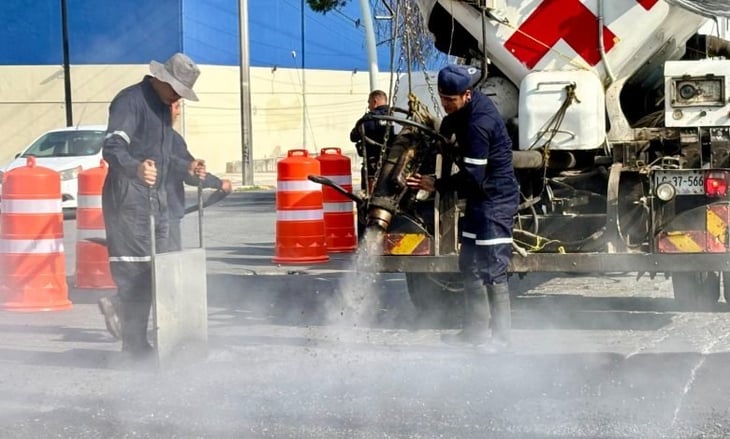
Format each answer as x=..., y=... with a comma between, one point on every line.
x=92, y=257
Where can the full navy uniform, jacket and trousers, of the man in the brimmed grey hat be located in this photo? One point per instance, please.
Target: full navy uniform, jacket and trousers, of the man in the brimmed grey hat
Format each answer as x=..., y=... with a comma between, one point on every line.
x=139, y=128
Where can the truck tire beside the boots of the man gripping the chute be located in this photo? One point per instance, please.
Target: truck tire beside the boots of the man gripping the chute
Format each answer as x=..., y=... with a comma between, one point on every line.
x=437, y=297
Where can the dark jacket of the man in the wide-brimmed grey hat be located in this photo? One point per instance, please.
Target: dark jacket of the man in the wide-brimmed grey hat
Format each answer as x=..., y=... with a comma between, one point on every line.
x=139, y=128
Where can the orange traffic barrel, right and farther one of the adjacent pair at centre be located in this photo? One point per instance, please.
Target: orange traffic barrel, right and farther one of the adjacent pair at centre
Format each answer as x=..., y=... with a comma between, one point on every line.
x=339, y=213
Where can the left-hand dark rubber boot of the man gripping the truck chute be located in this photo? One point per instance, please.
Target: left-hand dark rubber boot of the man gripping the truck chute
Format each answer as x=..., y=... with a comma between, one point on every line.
x=476, y=316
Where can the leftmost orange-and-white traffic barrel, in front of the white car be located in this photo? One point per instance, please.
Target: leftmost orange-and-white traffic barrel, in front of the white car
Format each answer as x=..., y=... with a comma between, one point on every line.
x=32, y=260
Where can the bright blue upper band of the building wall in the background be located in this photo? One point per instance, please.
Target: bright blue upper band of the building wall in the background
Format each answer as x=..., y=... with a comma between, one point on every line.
x=136, y=31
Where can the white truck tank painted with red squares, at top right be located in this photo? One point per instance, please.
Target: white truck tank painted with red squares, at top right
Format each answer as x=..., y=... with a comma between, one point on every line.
x=563, y=34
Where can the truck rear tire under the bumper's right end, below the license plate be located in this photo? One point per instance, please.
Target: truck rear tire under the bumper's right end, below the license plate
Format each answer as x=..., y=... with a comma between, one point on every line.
x=696, y=291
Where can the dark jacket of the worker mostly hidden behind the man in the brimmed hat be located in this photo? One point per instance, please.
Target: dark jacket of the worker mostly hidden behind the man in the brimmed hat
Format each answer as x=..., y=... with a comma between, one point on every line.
x=174, y=186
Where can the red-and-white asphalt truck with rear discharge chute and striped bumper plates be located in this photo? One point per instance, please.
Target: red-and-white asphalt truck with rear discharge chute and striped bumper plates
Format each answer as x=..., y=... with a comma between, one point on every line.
x=619, y=112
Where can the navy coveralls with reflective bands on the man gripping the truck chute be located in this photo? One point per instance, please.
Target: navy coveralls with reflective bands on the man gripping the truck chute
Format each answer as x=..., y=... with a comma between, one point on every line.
x=486, y=179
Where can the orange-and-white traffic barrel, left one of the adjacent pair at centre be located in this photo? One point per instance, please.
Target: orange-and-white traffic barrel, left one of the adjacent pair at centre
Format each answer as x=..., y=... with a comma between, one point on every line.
x=299, y=216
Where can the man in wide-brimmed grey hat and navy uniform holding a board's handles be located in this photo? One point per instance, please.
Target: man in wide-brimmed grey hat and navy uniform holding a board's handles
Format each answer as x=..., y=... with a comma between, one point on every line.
x=138, y=148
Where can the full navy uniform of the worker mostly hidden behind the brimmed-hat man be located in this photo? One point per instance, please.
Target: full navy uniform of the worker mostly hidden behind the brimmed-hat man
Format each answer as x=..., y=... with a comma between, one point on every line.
x=175, y=188
